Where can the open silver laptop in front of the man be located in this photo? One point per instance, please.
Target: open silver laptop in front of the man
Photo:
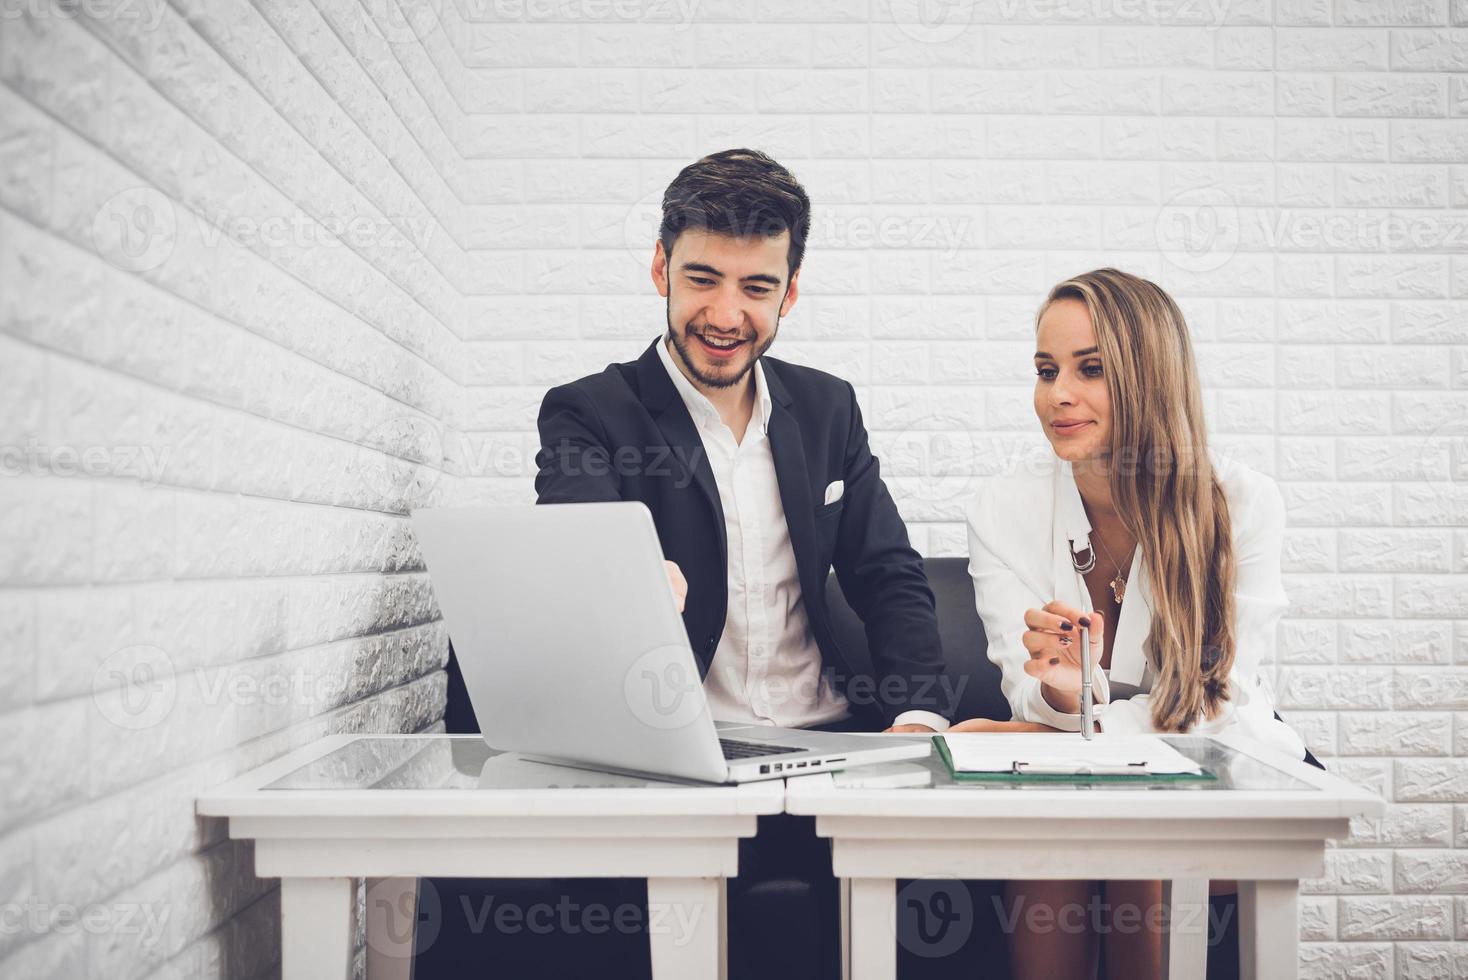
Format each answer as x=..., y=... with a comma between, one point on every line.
x=573, y=649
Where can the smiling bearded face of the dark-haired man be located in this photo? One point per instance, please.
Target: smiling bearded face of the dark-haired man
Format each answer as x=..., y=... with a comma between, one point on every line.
x=726, y=297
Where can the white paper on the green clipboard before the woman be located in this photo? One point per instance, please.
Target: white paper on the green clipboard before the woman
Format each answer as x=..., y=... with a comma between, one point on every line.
x=1064, y=753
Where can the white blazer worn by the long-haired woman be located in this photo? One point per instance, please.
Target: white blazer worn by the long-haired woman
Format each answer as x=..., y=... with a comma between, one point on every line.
x=1021, y=532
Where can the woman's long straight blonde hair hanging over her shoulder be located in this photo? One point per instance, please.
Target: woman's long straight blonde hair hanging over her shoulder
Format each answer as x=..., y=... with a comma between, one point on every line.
x=1165, y=489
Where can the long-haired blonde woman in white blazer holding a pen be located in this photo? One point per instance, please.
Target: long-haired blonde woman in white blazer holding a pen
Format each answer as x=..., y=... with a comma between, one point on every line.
x=1178, y=554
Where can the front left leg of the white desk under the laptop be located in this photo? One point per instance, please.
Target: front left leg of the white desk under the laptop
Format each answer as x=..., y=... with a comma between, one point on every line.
x=316, y=928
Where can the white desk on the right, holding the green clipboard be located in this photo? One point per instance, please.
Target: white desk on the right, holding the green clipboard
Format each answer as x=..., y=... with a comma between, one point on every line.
x=1265, y=824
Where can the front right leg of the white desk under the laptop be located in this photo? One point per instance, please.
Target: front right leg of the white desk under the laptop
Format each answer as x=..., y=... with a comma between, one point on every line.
x=686, y=931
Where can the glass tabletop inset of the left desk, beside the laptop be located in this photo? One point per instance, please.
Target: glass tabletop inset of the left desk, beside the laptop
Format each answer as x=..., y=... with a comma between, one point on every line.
x=446, y=764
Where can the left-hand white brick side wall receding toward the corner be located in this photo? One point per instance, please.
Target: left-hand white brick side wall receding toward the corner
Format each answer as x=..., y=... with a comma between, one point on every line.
x=234, y=272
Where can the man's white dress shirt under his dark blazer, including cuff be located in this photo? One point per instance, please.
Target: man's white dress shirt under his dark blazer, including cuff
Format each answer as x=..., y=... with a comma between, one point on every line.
x=767, y=668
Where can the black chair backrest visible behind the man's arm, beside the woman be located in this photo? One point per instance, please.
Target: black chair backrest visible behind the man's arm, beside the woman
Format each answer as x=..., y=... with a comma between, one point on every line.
x=961, y=630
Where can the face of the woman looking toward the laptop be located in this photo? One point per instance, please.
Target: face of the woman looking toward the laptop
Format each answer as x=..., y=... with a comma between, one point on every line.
x=1071, y=392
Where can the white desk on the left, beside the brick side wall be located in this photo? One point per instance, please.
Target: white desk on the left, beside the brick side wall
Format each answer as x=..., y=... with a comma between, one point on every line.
x=406, y=808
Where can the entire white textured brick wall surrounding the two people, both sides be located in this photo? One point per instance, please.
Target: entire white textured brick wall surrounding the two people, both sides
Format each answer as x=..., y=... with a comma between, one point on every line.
x=274, y=272
